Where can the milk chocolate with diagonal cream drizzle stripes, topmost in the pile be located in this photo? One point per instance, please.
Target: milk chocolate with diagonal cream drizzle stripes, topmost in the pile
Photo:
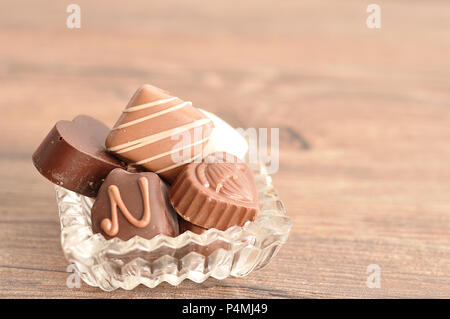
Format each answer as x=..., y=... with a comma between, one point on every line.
x=159, y=132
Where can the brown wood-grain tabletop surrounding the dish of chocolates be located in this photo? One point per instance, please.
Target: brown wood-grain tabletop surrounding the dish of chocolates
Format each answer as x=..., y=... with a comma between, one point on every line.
x=364, y=119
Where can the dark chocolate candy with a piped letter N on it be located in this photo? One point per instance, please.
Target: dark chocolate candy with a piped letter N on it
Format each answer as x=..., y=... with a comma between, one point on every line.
x=130, y=204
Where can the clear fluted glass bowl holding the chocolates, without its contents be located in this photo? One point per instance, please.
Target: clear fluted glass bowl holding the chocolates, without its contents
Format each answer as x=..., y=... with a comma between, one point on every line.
x=114, y=263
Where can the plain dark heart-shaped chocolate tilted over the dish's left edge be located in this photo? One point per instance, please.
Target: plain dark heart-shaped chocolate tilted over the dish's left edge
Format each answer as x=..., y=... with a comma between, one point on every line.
x=73, y=155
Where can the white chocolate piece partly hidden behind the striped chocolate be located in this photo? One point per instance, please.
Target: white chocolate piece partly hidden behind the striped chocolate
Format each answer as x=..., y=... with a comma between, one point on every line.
x=224, y=138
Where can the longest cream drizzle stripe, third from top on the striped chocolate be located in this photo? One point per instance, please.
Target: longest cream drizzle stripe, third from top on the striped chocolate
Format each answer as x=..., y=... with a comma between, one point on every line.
x=129, y=146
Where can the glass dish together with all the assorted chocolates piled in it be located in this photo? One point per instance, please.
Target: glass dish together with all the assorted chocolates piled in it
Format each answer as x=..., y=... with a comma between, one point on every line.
x=168, y=180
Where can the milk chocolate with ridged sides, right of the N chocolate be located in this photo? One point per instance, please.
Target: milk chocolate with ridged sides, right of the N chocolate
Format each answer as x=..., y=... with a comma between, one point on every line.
x=219, y=192
